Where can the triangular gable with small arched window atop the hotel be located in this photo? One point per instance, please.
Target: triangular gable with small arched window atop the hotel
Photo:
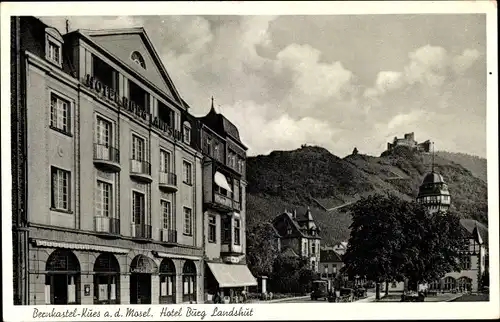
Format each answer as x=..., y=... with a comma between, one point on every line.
x=117, y=44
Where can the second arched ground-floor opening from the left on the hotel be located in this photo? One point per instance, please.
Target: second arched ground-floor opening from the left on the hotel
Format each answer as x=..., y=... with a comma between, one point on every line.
x=106, y=279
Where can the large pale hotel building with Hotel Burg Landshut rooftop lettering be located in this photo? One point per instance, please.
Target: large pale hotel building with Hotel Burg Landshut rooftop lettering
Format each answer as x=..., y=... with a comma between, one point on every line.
x=108, y=200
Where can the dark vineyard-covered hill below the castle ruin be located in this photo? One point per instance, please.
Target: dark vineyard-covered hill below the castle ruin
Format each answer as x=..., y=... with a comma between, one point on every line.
x=312, y=176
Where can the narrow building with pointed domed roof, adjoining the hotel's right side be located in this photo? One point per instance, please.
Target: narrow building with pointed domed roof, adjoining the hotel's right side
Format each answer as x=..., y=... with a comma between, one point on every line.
x=224, y=206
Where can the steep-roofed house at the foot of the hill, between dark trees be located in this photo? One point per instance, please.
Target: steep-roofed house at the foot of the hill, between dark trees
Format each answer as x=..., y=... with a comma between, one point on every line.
x=299, y=236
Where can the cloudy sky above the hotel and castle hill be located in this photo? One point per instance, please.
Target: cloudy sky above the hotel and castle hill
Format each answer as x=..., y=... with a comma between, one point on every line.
x=334, y=81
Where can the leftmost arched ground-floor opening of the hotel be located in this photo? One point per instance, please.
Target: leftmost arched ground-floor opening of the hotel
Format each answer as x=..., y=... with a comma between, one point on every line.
x=62, y=281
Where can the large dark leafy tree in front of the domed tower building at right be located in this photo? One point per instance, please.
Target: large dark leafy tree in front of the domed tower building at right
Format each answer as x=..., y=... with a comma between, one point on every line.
x=395, y=240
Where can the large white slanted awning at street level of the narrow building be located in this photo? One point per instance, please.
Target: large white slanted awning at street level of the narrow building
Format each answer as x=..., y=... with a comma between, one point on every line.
x=228, y=275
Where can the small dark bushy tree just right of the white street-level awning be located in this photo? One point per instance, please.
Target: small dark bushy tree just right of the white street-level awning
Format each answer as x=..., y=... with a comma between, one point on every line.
x=261, y=249
